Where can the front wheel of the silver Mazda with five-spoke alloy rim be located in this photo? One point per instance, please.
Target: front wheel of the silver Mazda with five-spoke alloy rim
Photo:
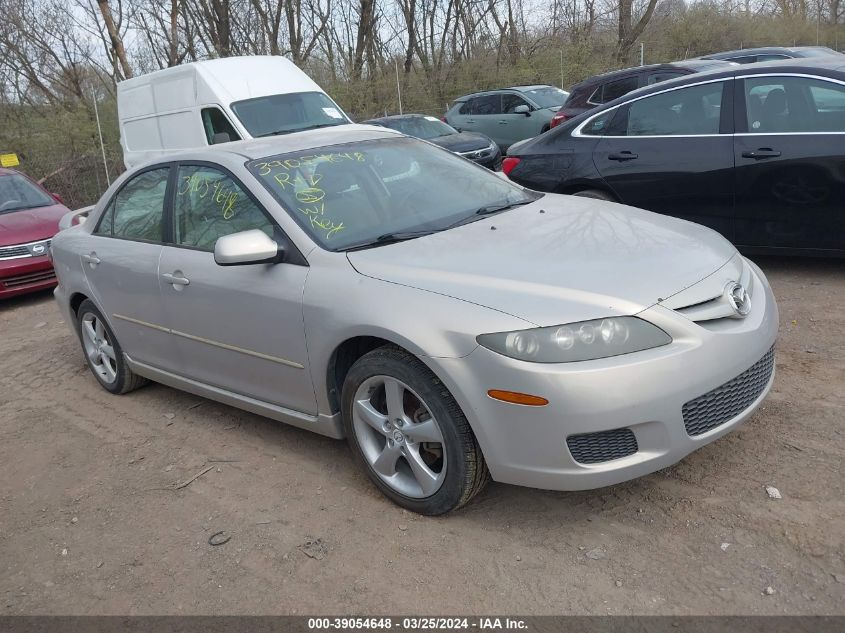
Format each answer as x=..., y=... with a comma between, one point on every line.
x=427, y=411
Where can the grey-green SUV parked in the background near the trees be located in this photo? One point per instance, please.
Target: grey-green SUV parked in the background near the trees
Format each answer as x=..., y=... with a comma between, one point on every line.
x=508, y=115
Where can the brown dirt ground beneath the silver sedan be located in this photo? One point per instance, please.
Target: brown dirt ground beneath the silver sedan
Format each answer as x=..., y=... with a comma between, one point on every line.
x=87, y=525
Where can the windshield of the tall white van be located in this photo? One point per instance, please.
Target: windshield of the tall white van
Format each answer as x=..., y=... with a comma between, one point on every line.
x=286, y=113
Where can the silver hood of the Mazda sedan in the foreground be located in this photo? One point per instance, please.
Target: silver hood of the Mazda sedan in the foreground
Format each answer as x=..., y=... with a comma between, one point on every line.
x=557, y=260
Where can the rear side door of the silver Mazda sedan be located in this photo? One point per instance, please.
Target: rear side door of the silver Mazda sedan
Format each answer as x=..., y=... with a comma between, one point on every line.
x=122, y=268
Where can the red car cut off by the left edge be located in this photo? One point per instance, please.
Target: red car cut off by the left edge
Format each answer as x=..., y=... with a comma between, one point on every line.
x=29, y=218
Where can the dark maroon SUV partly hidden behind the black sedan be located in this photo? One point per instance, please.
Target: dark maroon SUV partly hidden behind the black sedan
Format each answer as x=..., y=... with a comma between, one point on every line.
x=600, y=89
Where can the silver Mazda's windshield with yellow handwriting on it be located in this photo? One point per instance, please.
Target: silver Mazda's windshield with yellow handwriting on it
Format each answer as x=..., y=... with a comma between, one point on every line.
x=374, y=192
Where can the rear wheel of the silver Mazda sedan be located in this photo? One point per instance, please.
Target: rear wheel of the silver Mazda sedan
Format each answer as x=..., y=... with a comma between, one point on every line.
x=97, y=338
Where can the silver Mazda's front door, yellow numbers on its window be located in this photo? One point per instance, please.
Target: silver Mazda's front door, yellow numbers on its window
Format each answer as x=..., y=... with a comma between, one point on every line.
x=239, y=328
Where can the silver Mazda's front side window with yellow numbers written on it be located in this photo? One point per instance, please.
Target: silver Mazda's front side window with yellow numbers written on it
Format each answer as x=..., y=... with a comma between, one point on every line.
x=209, y=204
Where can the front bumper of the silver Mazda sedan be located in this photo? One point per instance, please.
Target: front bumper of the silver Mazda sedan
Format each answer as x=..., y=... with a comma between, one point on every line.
x=643, y=392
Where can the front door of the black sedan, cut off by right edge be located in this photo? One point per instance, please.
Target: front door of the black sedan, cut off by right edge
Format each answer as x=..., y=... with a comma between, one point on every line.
x=790, y=162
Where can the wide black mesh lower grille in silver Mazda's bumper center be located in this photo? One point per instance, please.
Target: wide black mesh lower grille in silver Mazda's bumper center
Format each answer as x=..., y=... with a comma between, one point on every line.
x=716, y=407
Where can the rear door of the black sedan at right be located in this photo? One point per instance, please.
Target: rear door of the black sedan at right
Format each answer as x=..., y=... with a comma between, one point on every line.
x=672, y=152
